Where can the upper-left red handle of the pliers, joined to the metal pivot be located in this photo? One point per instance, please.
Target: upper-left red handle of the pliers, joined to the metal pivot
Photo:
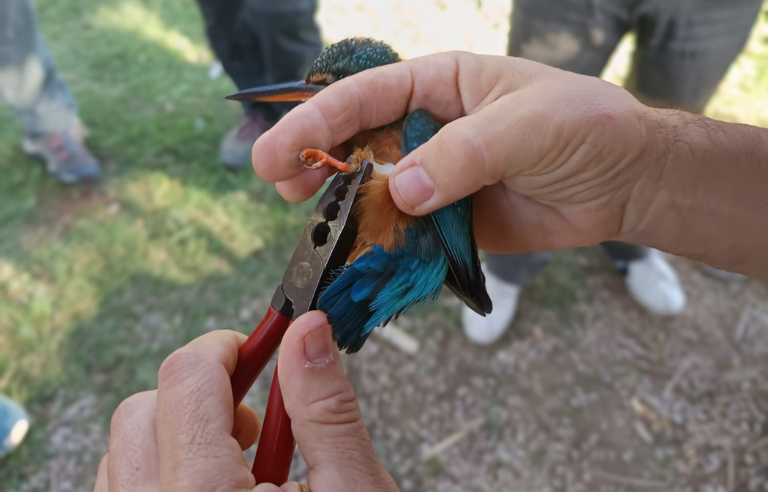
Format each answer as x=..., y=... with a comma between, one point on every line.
x=255, y=353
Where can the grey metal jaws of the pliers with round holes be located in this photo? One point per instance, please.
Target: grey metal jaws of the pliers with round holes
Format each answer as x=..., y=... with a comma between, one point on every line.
x=324, y=246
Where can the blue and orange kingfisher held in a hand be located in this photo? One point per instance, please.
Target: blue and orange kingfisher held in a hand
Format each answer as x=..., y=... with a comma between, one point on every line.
x=399, y=261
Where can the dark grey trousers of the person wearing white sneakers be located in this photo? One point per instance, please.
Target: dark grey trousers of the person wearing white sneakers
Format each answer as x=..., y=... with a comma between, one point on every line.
x=684, y=48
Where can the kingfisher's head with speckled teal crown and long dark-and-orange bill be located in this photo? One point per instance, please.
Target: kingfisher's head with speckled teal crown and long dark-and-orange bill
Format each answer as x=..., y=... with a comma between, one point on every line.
x=347, y=57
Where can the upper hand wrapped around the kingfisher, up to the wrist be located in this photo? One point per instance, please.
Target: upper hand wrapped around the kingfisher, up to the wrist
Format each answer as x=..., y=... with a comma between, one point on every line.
x=550, y=156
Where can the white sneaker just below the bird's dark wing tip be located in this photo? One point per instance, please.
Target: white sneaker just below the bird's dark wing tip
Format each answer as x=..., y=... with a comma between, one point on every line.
x=489, y=329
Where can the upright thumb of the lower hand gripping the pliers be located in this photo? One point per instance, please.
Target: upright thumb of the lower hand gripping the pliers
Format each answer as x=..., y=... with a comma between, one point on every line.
x=325, y=415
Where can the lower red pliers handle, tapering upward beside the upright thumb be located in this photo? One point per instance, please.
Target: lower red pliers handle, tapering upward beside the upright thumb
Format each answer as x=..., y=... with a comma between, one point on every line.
x=276, y=443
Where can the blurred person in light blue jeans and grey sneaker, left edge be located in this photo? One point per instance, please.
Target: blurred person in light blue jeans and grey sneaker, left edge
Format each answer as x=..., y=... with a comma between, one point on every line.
x=32, y=87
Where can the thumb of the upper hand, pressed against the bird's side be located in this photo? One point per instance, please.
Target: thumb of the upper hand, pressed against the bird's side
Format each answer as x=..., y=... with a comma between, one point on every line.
x=464, y=156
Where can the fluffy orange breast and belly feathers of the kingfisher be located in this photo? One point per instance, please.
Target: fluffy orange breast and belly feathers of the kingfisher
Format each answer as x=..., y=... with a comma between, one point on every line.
x=380, y=221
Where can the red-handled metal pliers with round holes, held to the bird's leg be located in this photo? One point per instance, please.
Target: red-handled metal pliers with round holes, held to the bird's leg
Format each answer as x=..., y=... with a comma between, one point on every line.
x=324, y=247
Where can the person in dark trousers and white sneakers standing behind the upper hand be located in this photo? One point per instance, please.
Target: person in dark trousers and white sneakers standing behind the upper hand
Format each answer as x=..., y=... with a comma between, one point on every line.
x=683, y=50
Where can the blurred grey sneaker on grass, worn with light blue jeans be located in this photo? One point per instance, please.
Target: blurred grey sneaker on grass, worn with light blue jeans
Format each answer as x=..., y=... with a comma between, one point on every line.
x=65, y=156
